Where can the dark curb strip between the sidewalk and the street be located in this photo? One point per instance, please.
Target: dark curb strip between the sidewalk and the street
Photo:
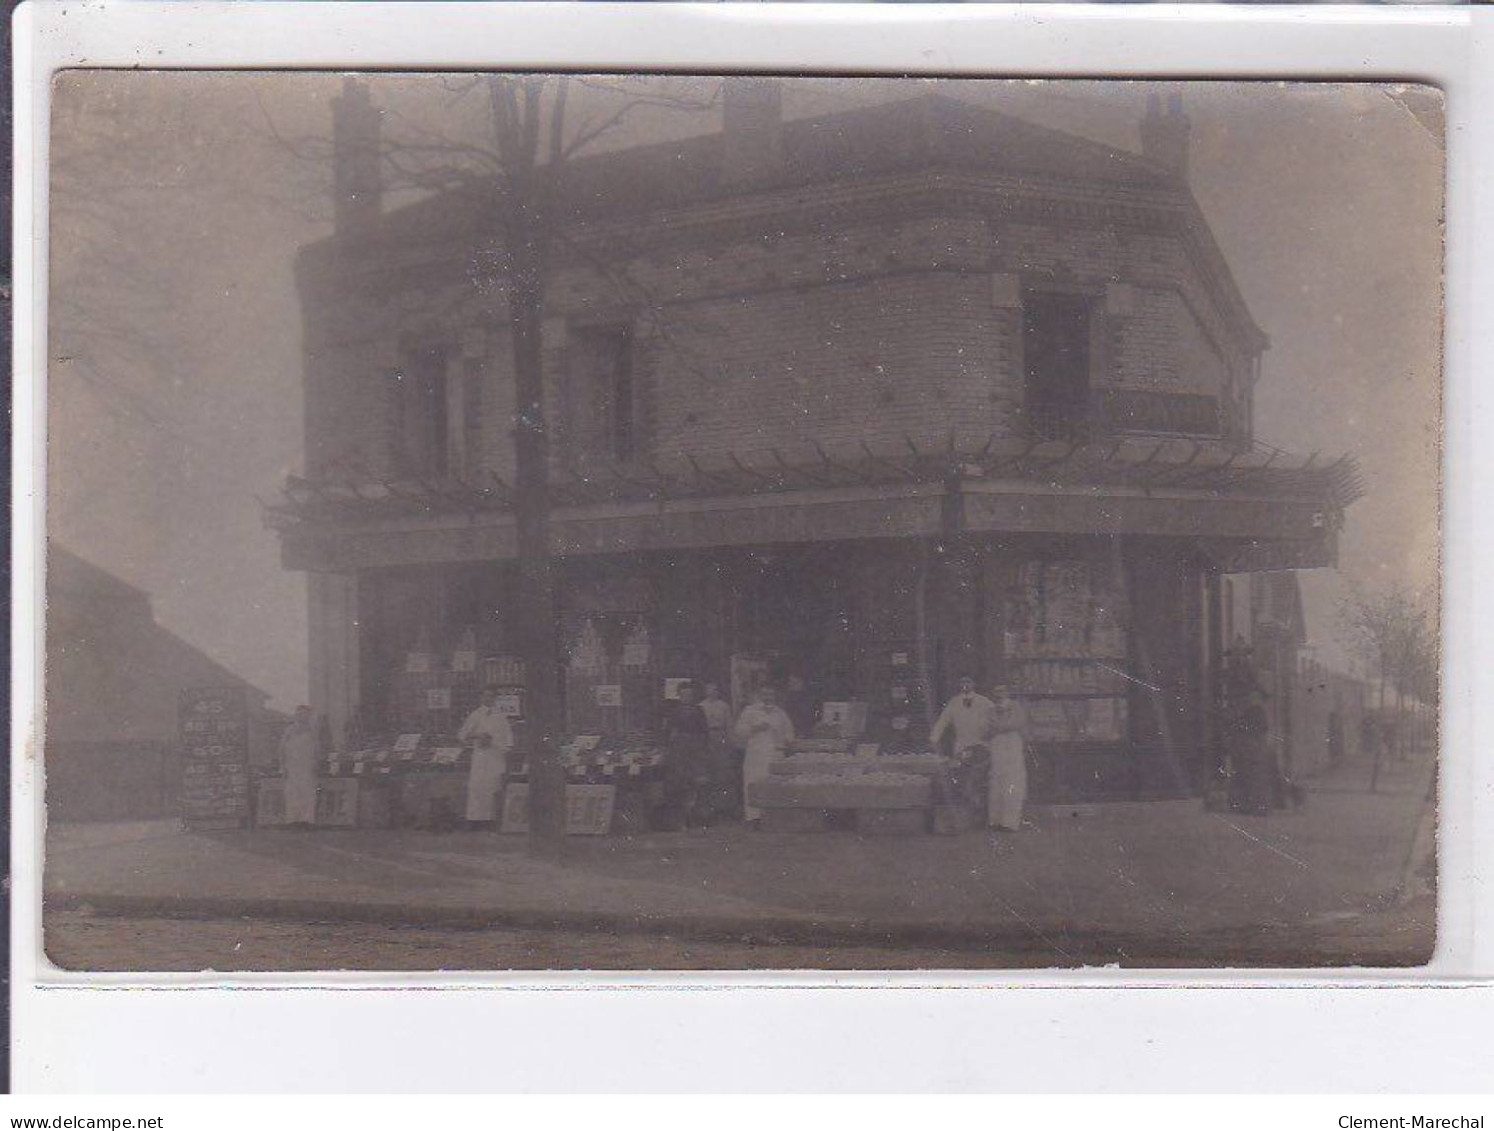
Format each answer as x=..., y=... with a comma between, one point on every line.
x=1051, y=948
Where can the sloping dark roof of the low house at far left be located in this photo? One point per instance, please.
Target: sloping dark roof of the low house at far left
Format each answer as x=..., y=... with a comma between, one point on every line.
x=113, y=673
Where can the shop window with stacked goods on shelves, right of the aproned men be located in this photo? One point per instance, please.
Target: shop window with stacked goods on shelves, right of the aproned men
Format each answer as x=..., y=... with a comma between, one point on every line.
x=1067, y=651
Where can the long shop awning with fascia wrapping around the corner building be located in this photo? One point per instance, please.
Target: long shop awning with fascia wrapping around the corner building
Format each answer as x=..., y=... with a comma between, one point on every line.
x=1132, y=486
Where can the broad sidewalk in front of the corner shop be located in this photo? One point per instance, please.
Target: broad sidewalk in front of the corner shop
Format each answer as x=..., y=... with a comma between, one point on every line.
x=1144, y=884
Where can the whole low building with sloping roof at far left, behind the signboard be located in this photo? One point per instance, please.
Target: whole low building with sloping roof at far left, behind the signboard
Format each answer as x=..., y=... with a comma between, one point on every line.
x=113, y=684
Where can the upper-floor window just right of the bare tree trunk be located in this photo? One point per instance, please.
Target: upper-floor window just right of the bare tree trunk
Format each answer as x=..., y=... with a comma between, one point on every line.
x=601, y=410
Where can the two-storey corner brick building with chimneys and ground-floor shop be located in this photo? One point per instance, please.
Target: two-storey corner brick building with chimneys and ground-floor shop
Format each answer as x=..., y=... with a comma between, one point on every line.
x=872, y=400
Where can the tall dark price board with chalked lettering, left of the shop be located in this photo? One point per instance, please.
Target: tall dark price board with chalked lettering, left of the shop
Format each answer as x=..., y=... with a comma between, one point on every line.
x=216, y=758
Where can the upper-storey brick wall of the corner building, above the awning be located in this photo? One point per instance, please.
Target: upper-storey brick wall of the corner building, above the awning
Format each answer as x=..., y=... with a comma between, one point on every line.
x=878, y=312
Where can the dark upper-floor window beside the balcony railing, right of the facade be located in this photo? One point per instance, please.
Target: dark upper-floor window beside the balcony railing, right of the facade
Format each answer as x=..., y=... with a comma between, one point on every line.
x=1057, y=358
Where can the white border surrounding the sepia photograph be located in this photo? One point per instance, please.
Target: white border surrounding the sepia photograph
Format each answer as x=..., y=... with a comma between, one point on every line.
x=830, y=1030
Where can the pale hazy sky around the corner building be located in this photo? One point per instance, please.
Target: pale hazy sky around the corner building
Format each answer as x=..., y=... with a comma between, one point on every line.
x=176, y=383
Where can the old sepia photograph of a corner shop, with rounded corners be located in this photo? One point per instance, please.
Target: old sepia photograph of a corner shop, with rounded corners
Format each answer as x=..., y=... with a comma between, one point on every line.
x=654, y=522
